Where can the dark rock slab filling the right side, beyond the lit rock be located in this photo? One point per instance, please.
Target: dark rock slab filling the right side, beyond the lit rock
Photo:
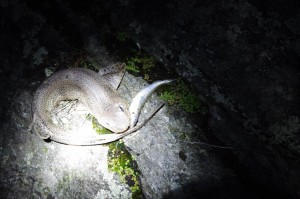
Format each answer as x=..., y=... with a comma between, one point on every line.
x=243, y=60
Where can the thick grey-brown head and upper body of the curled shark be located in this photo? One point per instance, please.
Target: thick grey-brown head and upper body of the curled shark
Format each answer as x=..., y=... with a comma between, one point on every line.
x=110, y=109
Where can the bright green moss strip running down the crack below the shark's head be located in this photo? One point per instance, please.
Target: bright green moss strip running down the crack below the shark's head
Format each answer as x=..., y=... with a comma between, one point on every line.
x=121, y=162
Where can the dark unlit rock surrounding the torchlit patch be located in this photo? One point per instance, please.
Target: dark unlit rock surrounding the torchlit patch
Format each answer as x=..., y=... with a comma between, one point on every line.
x=242, y=57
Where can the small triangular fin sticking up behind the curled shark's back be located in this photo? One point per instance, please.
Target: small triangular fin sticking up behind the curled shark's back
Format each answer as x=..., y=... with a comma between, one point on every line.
x=113, y=74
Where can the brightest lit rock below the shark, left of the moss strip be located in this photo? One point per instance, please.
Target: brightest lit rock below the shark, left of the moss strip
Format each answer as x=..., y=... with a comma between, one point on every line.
x=31, y=167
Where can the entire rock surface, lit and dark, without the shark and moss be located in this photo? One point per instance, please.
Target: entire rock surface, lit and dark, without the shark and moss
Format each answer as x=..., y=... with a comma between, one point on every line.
x=242, y=57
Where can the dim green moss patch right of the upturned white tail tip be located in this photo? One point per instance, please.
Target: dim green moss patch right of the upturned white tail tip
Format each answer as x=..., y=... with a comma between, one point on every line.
x=180, y=94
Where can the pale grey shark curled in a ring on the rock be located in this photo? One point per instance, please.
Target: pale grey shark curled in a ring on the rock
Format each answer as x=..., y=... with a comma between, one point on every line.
x=96, y=91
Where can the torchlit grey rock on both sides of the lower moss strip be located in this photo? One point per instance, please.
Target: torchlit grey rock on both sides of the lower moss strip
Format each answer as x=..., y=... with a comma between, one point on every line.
x=48, y=169
